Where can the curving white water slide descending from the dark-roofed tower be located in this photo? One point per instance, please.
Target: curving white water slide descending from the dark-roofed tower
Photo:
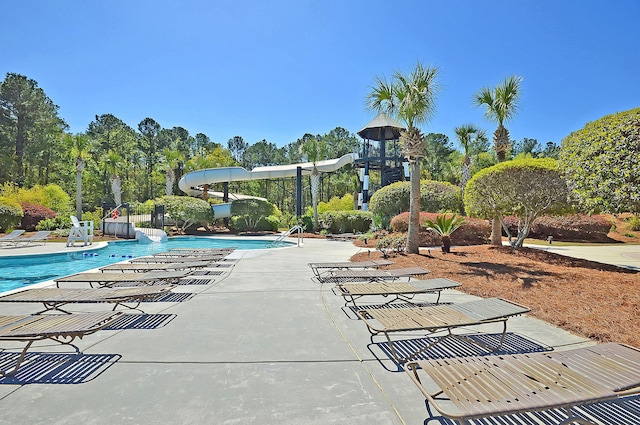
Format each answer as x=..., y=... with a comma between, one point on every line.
x=191, y=183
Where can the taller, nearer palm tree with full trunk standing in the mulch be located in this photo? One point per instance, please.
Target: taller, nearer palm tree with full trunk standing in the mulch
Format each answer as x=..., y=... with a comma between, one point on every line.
x=411, y=99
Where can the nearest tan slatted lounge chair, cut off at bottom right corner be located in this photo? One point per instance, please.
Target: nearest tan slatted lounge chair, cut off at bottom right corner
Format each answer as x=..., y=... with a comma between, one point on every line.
x=487, y=386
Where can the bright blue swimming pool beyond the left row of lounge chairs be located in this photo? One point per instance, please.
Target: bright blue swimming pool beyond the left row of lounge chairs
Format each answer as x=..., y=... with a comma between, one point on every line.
x=21, y=271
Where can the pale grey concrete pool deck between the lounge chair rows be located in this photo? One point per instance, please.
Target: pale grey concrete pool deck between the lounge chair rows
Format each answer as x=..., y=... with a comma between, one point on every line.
x=262, y=344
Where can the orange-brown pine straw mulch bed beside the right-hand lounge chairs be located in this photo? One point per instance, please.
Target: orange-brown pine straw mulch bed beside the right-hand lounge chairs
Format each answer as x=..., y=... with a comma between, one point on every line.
x=591, y=299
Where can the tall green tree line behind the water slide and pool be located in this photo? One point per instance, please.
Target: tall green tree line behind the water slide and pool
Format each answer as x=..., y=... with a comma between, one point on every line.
x=114, y=162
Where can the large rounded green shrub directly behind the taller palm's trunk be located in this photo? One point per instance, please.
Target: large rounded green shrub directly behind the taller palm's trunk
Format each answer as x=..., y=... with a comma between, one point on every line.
x=394, y=199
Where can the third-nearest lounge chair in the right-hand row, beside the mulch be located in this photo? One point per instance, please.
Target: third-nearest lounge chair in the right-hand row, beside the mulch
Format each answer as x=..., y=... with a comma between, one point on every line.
x=399, y=290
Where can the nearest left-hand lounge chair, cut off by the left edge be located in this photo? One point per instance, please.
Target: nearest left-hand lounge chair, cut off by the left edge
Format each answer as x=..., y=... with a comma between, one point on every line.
x=62, y=328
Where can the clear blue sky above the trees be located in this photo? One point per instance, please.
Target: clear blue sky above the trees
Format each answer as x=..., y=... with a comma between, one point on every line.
x=278, y=69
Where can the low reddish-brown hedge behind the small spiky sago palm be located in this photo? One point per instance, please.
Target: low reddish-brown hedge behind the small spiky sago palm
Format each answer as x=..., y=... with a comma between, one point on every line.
x=474, y=232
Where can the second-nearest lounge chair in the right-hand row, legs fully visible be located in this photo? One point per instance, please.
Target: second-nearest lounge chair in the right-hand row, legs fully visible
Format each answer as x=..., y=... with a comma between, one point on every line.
x=439, y=318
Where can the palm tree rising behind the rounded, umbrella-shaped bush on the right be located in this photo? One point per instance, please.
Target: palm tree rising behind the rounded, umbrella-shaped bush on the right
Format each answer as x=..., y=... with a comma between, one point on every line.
x=501, y=105
